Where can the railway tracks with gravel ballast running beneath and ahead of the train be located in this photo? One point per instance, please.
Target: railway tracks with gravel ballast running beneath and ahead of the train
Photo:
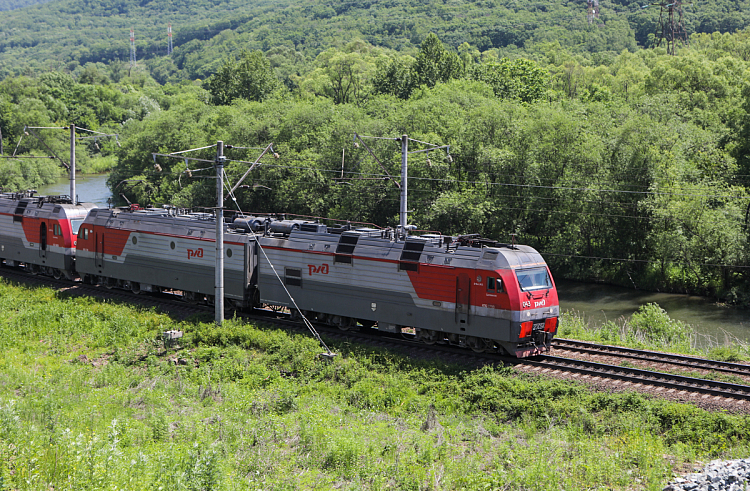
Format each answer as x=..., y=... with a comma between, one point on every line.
x=622, y=376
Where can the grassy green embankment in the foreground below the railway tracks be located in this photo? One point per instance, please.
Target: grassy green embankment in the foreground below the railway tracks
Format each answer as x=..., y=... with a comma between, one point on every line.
x=88, y=400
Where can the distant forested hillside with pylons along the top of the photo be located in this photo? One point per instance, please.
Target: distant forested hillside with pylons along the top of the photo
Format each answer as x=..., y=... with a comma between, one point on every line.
x=68, y=33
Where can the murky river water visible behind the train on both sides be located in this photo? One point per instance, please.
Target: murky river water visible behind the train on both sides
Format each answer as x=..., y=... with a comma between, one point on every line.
x=596, y=303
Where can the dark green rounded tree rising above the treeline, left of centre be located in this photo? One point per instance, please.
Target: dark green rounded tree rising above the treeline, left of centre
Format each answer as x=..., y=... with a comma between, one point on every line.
x=250, y=78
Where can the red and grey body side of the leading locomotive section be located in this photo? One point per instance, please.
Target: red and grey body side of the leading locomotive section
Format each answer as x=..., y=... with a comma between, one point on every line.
x=372, y=286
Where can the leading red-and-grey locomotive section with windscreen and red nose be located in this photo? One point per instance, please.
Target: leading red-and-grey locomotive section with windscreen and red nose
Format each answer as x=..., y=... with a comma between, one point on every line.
x=462, y=290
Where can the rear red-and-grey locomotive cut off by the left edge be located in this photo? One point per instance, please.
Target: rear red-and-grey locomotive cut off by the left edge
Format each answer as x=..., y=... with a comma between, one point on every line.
x=40, y=232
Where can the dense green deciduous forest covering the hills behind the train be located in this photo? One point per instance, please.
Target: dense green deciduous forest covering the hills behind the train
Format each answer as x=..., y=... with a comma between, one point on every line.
x=619, y=162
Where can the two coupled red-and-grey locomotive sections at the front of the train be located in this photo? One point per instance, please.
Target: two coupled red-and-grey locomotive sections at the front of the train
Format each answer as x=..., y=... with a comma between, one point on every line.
x=461, y=290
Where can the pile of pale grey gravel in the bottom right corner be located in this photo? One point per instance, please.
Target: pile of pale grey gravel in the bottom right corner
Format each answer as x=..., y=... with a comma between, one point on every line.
x=719, y=475
